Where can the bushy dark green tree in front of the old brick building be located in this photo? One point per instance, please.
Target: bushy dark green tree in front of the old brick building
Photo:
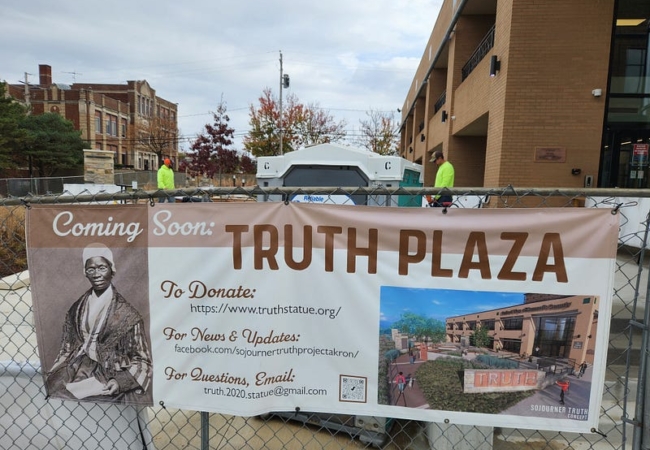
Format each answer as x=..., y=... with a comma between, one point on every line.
x=52, y=144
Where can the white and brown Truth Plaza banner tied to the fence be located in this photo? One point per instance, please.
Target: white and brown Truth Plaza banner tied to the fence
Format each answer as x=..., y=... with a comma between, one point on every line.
x=480, y=317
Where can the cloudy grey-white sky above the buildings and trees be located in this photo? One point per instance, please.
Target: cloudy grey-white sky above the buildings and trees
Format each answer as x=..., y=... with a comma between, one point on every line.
x=347, y=56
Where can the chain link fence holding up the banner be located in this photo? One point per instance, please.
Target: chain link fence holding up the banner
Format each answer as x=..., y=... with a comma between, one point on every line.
x=29, y=420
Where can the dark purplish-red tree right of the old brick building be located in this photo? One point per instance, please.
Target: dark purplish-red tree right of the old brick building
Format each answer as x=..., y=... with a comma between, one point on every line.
x=210, y=152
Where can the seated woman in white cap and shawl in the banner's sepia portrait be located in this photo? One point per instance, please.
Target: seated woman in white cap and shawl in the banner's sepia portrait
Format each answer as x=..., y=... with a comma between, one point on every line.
x=104, y=354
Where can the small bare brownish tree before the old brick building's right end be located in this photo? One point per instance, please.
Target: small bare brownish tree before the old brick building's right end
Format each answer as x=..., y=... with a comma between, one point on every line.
x=157, y=134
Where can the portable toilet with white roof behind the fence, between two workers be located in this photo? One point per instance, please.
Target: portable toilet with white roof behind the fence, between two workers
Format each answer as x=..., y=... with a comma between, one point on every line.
x=336, y=165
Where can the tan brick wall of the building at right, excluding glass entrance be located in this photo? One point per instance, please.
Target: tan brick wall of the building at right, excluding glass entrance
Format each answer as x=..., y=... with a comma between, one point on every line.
x=552, y=53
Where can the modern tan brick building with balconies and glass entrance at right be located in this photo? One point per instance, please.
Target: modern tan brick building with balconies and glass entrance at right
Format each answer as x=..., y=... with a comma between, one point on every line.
x=528, y=93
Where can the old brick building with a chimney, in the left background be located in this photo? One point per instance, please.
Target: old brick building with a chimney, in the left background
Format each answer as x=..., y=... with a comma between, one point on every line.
x=112, y=117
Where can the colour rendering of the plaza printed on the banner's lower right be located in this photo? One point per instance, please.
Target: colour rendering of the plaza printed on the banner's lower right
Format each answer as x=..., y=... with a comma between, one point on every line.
x=509, y=353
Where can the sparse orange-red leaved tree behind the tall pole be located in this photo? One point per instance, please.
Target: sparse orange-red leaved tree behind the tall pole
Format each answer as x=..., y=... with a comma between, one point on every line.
x=301, y=125
